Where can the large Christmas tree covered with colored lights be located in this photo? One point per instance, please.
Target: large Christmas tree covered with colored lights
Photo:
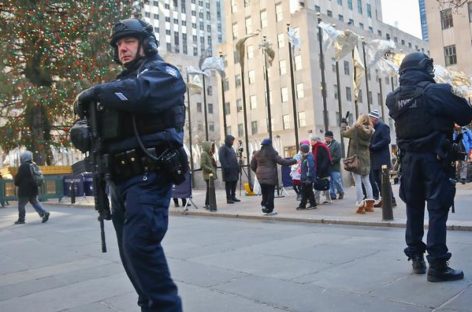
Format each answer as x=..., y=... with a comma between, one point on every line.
x=49, y=52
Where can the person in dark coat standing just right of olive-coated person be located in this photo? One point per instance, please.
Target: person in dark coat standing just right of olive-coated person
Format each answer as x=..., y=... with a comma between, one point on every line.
x=230, y=168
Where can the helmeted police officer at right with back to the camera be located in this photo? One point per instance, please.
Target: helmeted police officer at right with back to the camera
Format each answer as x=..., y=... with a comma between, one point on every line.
x=424, y=114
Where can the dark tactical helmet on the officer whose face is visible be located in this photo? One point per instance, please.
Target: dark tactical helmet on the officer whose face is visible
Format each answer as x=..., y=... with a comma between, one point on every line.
x=133, y=27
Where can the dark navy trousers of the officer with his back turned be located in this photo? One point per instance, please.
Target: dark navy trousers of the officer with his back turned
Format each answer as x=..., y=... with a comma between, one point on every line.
x=424, y=179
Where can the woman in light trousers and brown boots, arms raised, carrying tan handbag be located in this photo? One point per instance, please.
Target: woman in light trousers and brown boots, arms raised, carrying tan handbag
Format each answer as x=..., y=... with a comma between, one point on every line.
x=360, y=135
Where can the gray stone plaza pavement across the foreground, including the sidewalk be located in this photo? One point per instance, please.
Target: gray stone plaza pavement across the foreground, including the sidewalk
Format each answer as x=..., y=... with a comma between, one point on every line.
x=234, y=260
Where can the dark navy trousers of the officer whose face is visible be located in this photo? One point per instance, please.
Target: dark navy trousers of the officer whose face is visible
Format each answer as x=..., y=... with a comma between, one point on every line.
x=140, y=216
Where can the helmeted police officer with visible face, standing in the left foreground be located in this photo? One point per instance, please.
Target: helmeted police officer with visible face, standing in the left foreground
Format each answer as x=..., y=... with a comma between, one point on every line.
x=143, y=117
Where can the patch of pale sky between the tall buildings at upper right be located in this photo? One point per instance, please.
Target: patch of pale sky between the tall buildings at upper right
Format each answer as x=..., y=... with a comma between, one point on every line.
x=405, y=12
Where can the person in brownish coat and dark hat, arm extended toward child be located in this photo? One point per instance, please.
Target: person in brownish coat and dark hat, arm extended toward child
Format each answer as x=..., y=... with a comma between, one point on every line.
x=264, y=164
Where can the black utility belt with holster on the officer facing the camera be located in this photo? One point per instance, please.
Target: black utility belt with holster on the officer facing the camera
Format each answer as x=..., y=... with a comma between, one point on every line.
x=134, y=162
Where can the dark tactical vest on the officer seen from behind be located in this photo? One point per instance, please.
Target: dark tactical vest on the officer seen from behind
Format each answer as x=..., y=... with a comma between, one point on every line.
x=412, y=114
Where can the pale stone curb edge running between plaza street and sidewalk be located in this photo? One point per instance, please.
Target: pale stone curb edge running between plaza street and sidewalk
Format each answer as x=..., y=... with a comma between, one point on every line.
x=202, y=213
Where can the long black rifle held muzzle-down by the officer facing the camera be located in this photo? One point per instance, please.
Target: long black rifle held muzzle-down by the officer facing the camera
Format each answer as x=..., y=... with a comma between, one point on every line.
x=99, y=164
